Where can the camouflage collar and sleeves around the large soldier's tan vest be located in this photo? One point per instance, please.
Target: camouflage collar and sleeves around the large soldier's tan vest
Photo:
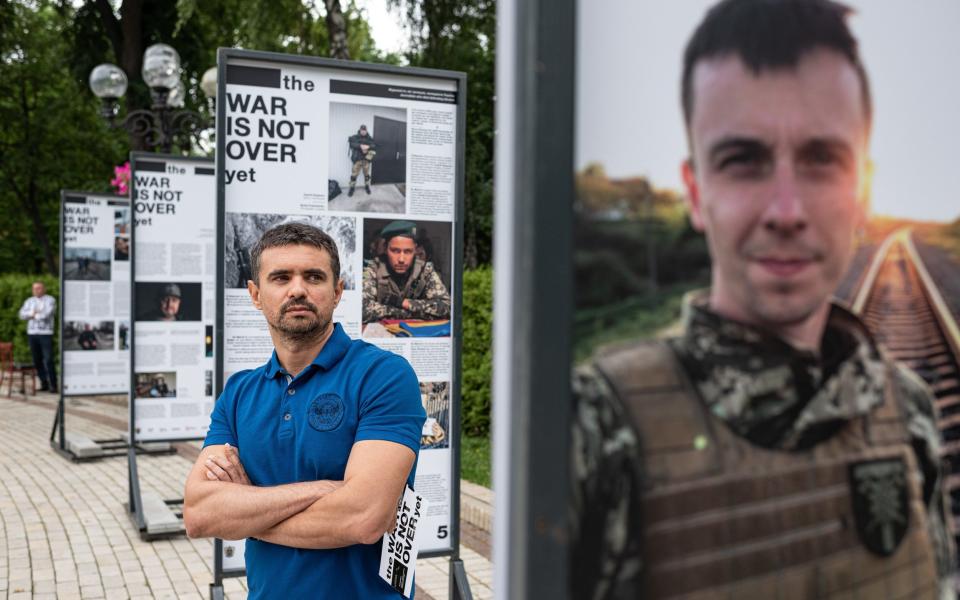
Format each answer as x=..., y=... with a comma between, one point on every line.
x=767, y=392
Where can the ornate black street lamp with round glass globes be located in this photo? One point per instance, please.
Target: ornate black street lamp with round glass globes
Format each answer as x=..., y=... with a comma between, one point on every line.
x=162, y=124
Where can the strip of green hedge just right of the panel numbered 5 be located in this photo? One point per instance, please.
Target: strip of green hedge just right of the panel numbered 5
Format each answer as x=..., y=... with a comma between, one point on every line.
x=477, y=358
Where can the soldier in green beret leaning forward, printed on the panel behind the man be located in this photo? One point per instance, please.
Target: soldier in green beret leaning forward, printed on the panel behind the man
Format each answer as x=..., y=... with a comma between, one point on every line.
x=398, y=284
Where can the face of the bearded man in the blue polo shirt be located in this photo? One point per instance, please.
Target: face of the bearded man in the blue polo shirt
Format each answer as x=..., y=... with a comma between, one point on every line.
x=297, y=292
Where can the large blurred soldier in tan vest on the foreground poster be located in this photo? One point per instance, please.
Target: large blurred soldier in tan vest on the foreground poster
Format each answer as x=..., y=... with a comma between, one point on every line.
x=772, y=450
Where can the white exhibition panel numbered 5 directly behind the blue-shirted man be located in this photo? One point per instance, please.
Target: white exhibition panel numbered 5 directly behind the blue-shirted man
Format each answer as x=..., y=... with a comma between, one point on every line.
x=286, y=158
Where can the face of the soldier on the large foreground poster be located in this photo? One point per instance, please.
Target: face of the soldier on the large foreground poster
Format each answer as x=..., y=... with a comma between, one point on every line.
x=776, y=183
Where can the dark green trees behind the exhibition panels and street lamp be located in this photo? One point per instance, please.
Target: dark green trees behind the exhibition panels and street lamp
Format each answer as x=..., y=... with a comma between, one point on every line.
x=53, y=138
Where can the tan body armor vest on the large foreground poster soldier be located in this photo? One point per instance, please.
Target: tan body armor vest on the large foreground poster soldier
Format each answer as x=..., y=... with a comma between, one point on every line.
x=726, y=519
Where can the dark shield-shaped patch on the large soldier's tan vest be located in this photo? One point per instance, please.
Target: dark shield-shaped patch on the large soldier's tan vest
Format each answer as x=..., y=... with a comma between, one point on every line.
x=880, y=503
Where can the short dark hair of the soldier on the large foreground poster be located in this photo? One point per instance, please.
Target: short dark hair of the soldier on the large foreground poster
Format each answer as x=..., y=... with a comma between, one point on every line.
x=772, y=35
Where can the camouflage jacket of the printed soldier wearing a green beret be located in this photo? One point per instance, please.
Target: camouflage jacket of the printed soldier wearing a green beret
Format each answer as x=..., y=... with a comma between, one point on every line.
x=383, y=296
